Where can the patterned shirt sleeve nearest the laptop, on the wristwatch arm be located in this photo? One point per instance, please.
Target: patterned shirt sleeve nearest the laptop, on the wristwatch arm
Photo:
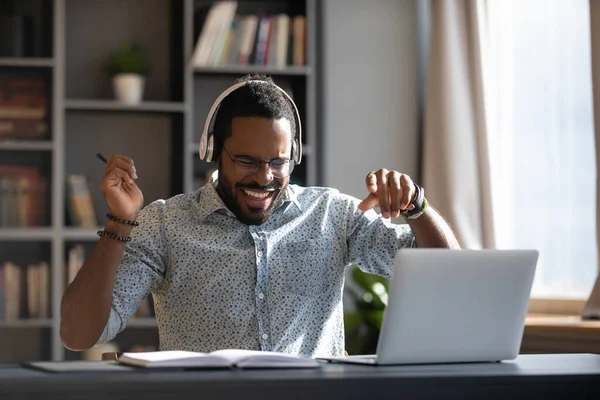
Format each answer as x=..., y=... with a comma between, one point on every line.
x=373, y=241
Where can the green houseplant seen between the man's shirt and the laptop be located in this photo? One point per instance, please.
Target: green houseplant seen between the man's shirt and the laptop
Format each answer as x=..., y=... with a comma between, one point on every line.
x=362, y=325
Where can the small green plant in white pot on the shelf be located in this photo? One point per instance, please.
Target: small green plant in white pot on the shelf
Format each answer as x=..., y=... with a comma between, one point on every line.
x=128, y=68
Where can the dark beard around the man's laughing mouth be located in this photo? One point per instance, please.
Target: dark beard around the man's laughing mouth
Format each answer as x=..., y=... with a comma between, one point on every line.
x=247, y=215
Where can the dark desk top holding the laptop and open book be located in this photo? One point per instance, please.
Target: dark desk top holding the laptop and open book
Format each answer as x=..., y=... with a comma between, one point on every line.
x=529, y=376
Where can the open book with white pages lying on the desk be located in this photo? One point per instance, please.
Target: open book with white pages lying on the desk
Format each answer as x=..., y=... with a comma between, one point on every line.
x=227, y=358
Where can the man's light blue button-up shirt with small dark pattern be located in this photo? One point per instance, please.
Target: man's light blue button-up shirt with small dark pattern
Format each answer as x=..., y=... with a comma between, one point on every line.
x=217, y=283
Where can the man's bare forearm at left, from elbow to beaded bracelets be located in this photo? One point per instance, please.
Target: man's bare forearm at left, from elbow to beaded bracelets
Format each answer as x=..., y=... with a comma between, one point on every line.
x=85, y=306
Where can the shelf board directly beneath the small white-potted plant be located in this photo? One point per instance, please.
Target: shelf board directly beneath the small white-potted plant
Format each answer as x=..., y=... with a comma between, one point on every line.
x=112, y=105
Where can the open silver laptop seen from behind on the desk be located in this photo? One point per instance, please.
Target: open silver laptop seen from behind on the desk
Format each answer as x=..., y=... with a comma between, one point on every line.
x=453, y=306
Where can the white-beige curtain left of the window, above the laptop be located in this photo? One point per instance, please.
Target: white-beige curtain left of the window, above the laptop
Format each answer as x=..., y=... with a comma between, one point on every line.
x=455, y=160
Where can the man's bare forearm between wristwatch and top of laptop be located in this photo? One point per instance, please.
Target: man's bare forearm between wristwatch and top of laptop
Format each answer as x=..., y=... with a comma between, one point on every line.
x=431, y=230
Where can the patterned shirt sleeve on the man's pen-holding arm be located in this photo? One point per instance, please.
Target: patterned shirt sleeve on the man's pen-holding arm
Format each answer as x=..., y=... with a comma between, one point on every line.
x=141, y=271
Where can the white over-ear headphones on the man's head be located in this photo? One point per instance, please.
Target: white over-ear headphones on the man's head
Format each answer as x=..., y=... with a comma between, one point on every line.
x=207, y=141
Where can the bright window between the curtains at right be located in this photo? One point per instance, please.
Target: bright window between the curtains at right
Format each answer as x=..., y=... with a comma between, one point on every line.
x=541, y=138
